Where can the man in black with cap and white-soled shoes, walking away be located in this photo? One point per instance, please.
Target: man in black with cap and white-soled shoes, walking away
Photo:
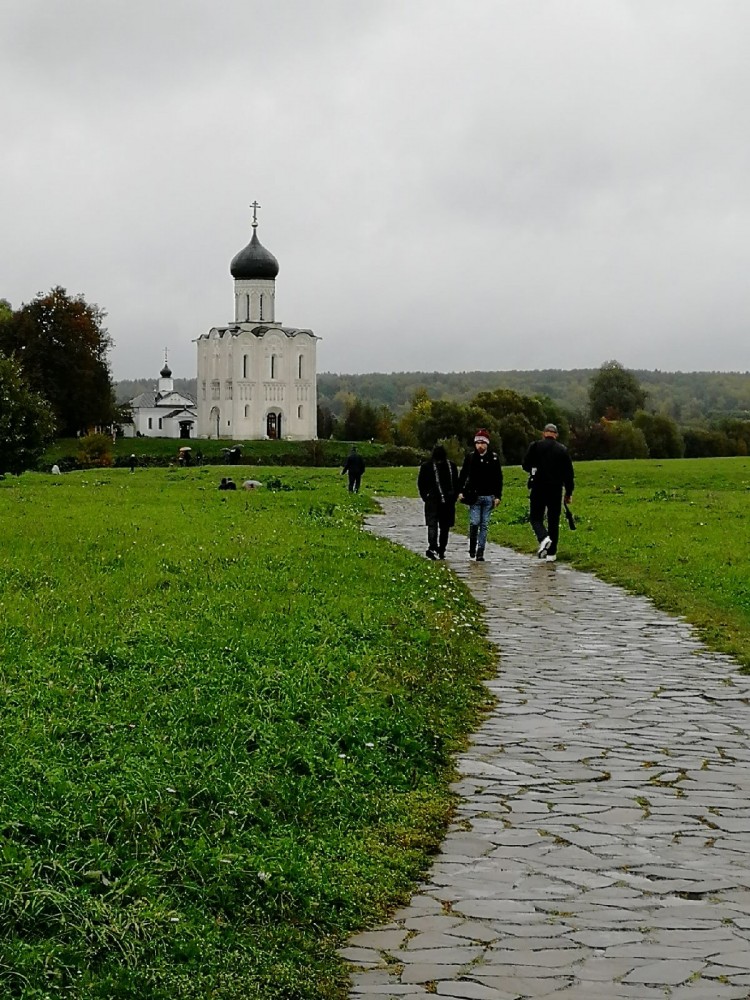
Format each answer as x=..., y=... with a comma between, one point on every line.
x=550, y=472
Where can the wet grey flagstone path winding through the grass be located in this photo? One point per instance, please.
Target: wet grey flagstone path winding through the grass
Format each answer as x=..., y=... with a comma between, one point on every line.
x=601, y=848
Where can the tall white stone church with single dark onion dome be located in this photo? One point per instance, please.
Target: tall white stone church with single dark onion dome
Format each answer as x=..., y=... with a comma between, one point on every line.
x=256, y=378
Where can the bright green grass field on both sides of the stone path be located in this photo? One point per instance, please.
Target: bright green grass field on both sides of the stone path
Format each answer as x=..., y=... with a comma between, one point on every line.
x=228, y=718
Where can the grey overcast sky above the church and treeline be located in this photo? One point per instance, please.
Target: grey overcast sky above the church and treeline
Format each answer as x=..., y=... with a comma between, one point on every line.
x=447, y=185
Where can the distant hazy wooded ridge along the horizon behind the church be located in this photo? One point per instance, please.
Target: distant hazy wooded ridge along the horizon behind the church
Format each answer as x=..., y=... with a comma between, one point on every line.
x=690, y=398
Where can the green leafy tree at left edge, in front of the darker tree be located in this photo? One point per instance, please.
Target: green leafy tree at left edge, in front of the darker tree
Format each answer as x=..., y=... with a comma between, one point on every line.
x=26, y=421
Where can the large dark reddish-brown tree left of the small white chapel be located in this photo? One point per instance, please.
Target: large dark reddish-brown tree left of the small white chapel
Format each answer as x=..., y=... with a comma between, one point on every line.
x=62, y=348
